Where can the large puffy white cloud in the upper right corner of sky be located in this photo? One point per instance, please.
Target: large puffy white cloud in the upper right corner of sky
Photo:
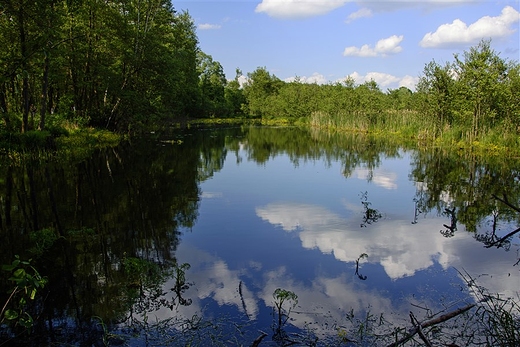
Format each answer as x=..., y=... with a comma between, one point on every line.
x=458, y=32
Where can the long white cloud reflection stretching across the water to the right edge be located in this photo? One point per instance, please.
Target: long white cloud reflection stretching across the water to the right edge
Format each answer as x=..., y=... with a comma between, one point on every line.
x=400, y=247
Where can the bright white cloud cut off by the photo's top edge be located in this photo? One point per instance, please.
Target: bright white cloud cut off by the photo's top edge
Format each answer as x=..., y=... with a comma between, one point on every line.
x=294, y=9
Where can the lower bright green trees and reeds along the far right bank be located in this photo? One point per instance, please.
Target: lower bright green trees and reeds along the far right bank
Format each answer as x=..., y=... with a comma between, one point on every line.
x=475, y=97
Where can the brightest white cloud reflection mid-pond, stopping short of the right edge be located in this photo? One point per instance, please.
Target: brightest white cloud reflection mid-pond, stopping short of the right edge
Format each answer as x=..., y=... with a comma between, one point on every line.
x=400, y=247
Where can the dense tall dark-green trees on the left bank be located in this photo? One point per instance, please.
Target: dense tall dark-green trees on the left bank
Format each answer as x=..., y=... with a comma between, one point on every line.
x=110, y=64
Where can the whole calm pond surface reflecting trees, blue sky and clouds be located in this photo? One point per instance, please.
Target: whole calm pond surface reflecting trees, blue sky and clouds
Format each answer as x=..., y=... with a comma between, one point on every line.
x=186, y=237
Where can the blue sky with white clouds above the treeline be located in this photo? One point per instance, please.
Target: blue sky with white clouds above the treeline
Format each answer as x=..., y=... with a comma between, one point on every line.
x=324, y=41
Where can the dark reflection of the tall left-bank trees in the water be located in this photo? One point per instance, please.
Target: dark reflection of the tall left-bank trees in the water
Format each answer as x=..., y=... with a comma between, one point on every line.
x=110, y=229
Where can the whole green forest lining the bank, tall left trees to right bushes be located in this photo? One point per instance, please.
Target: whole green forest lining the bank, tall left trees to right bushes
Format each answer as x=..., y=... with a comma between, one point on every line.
x=127, y=66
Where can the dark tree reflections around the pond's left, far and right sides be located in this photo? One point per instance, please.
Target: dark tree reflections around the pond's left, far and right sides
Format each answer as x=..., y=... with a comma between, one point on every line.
x=104, y=230
